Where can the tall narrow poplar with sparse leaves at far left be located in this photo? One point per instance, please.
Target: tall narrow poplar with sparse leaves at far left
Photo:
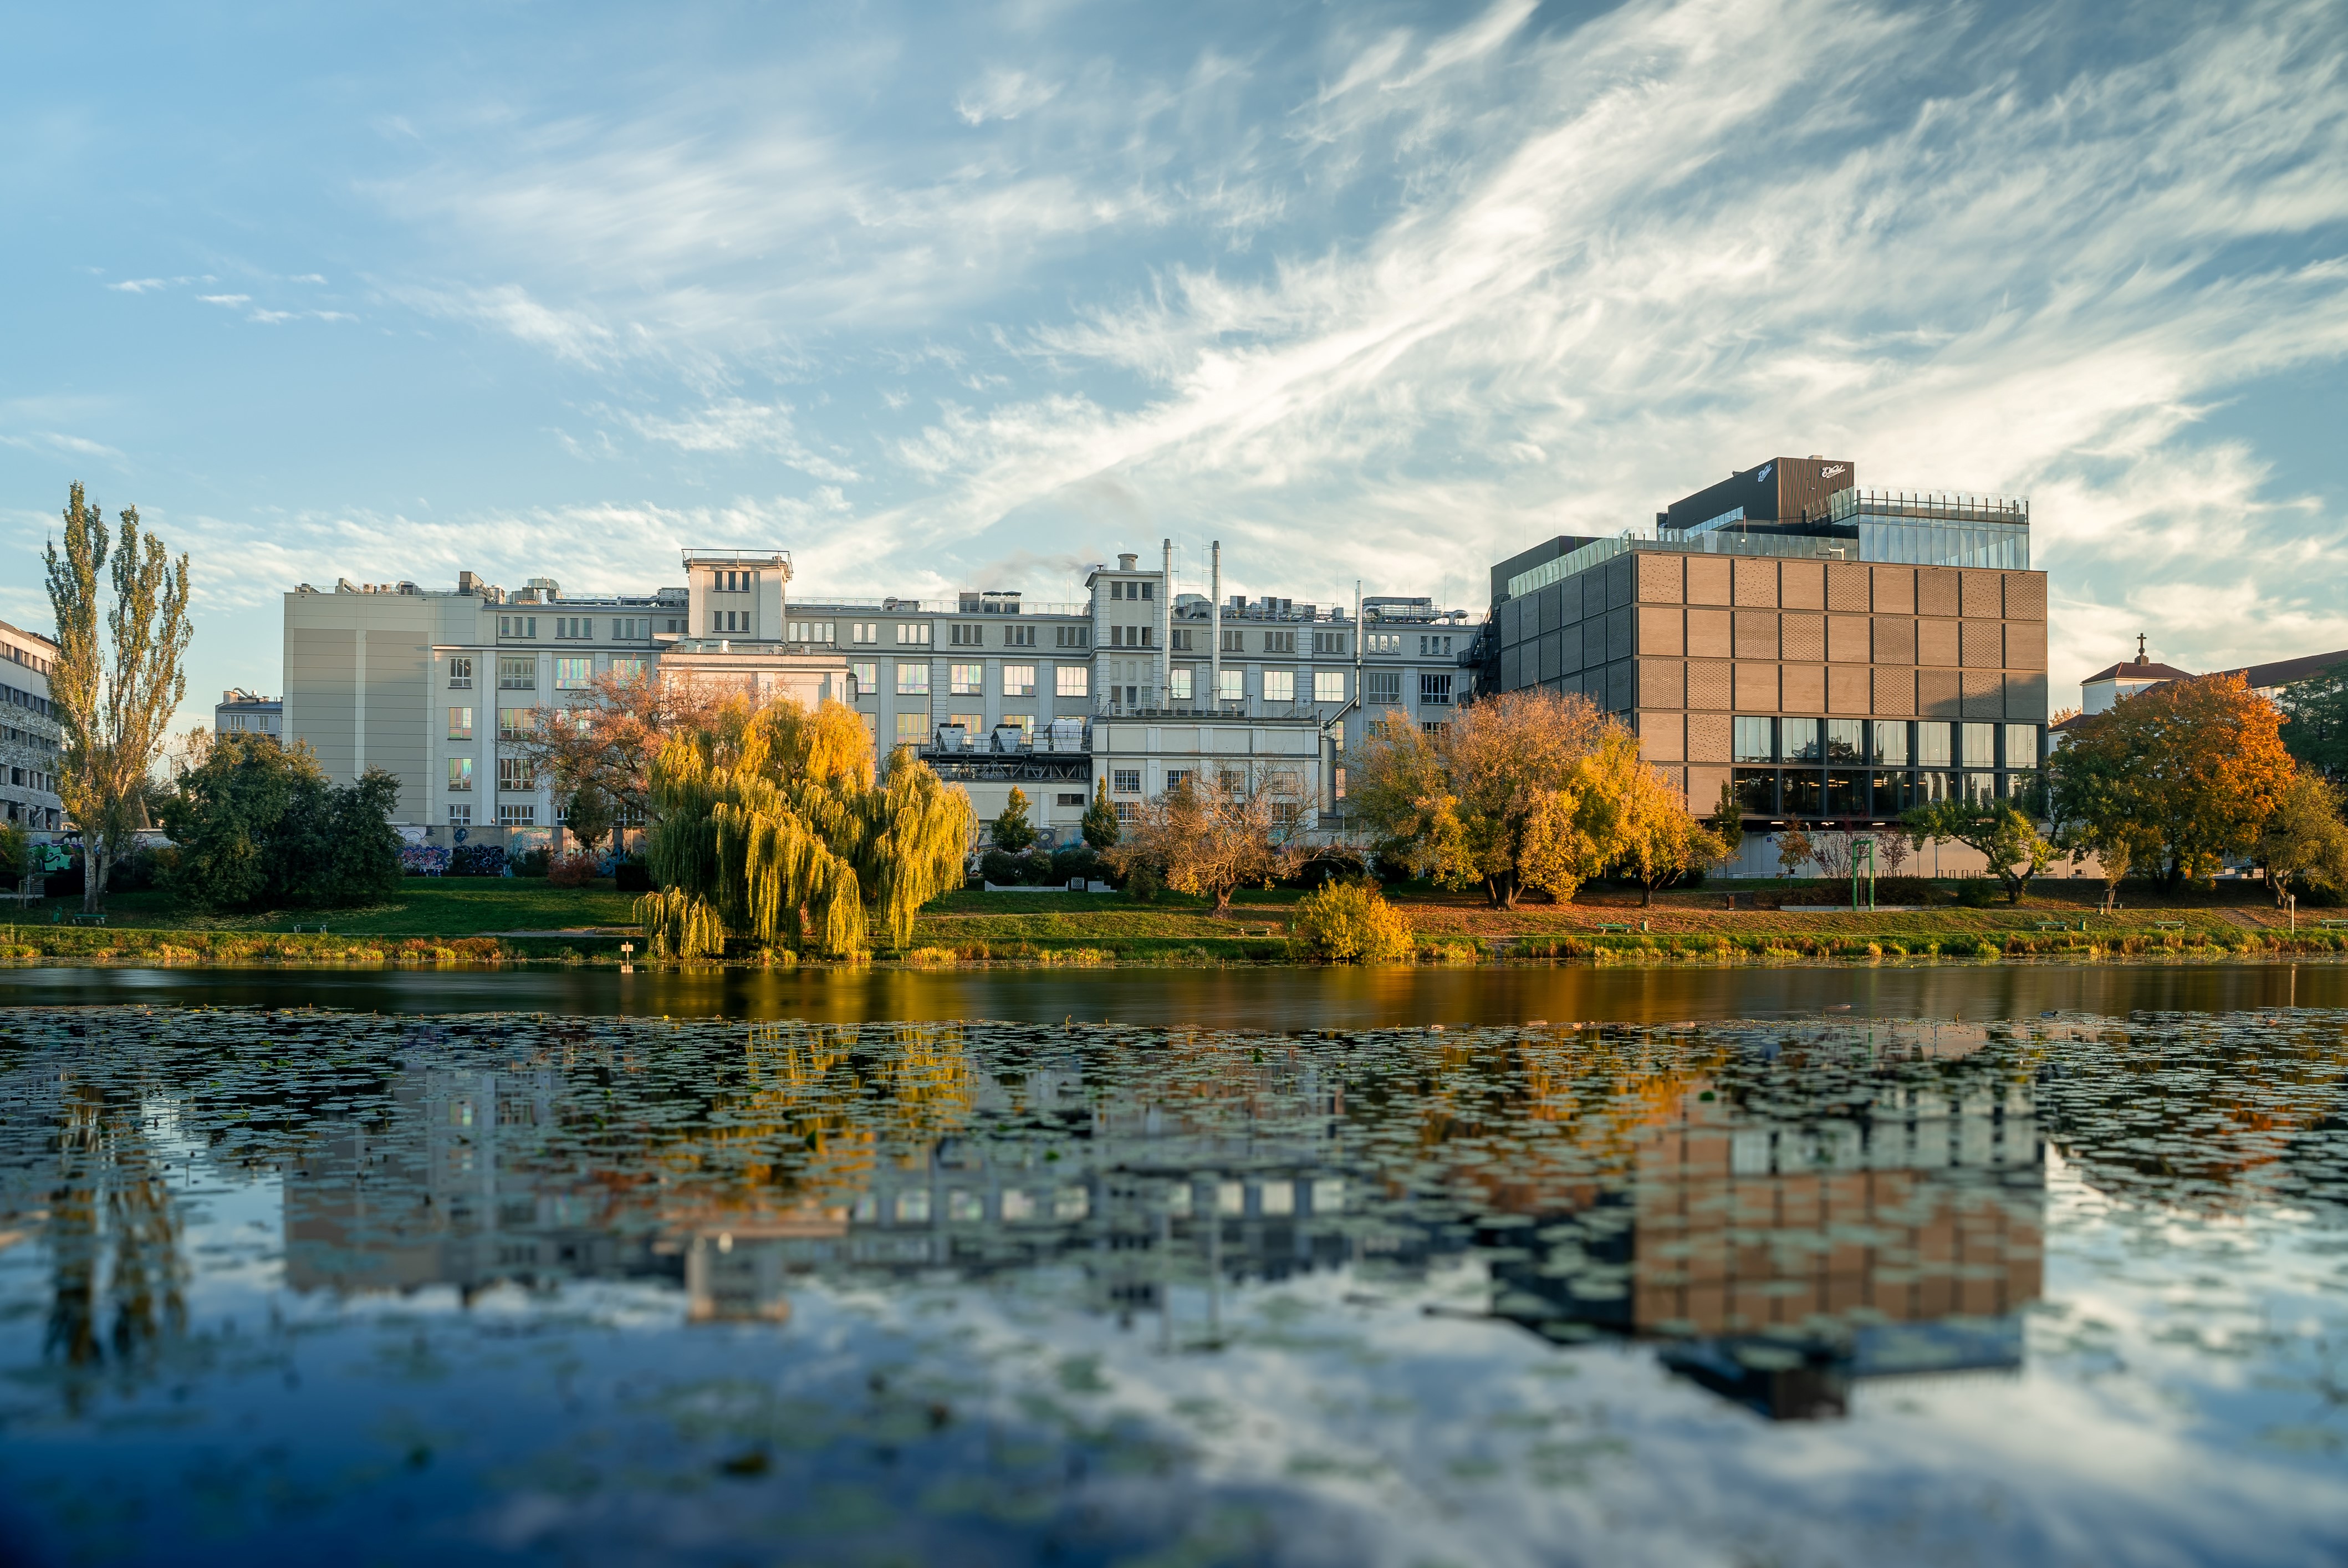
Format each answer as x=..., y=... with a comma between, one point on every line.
x=114, y=689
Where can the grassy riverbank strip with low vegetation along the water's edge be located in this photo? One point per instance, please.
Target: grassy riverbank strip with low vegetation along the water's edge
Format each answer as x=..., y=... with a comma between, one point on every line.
x=520, y=921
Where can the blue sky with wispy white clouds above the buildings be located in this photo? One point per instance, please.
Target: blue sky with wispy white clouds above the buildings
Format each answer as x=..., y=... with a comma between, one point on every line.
x=971, y=297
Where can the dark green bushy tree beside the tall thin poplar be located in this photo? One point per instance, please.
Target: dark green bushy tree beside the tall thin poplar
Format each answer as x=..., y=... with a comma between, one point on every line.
x=262, y=827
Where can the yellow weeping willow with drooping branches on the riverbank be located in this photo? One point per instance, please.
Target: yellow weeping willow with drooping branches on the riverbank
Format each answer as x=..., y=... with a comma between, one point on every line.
x=774, y=827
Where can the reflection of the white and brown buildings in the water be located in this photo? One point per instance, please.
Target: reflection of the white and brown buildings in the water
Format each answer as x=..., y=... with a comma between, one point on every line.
x=1779, y=1243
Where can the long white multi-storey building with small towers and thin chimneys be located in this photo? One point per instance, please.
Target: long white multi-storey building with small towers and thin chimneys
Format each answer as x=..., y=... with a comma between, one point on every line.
x=994, y=689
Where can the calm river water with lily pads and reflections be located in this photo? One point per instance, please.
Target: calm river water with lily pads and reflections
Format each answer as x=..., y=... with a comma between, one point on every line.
x=1671, y=1266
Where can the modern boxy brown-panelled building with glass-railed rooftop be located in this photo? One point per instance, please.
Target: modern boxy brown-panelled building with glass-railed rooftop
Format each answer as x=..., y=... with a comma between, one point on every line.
x=1830, y=654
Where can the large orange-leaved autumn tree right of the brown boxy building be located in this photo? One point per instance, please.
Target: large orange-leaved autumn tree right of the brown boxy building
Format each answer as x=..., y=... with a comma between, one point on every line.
x=2175, y=778
